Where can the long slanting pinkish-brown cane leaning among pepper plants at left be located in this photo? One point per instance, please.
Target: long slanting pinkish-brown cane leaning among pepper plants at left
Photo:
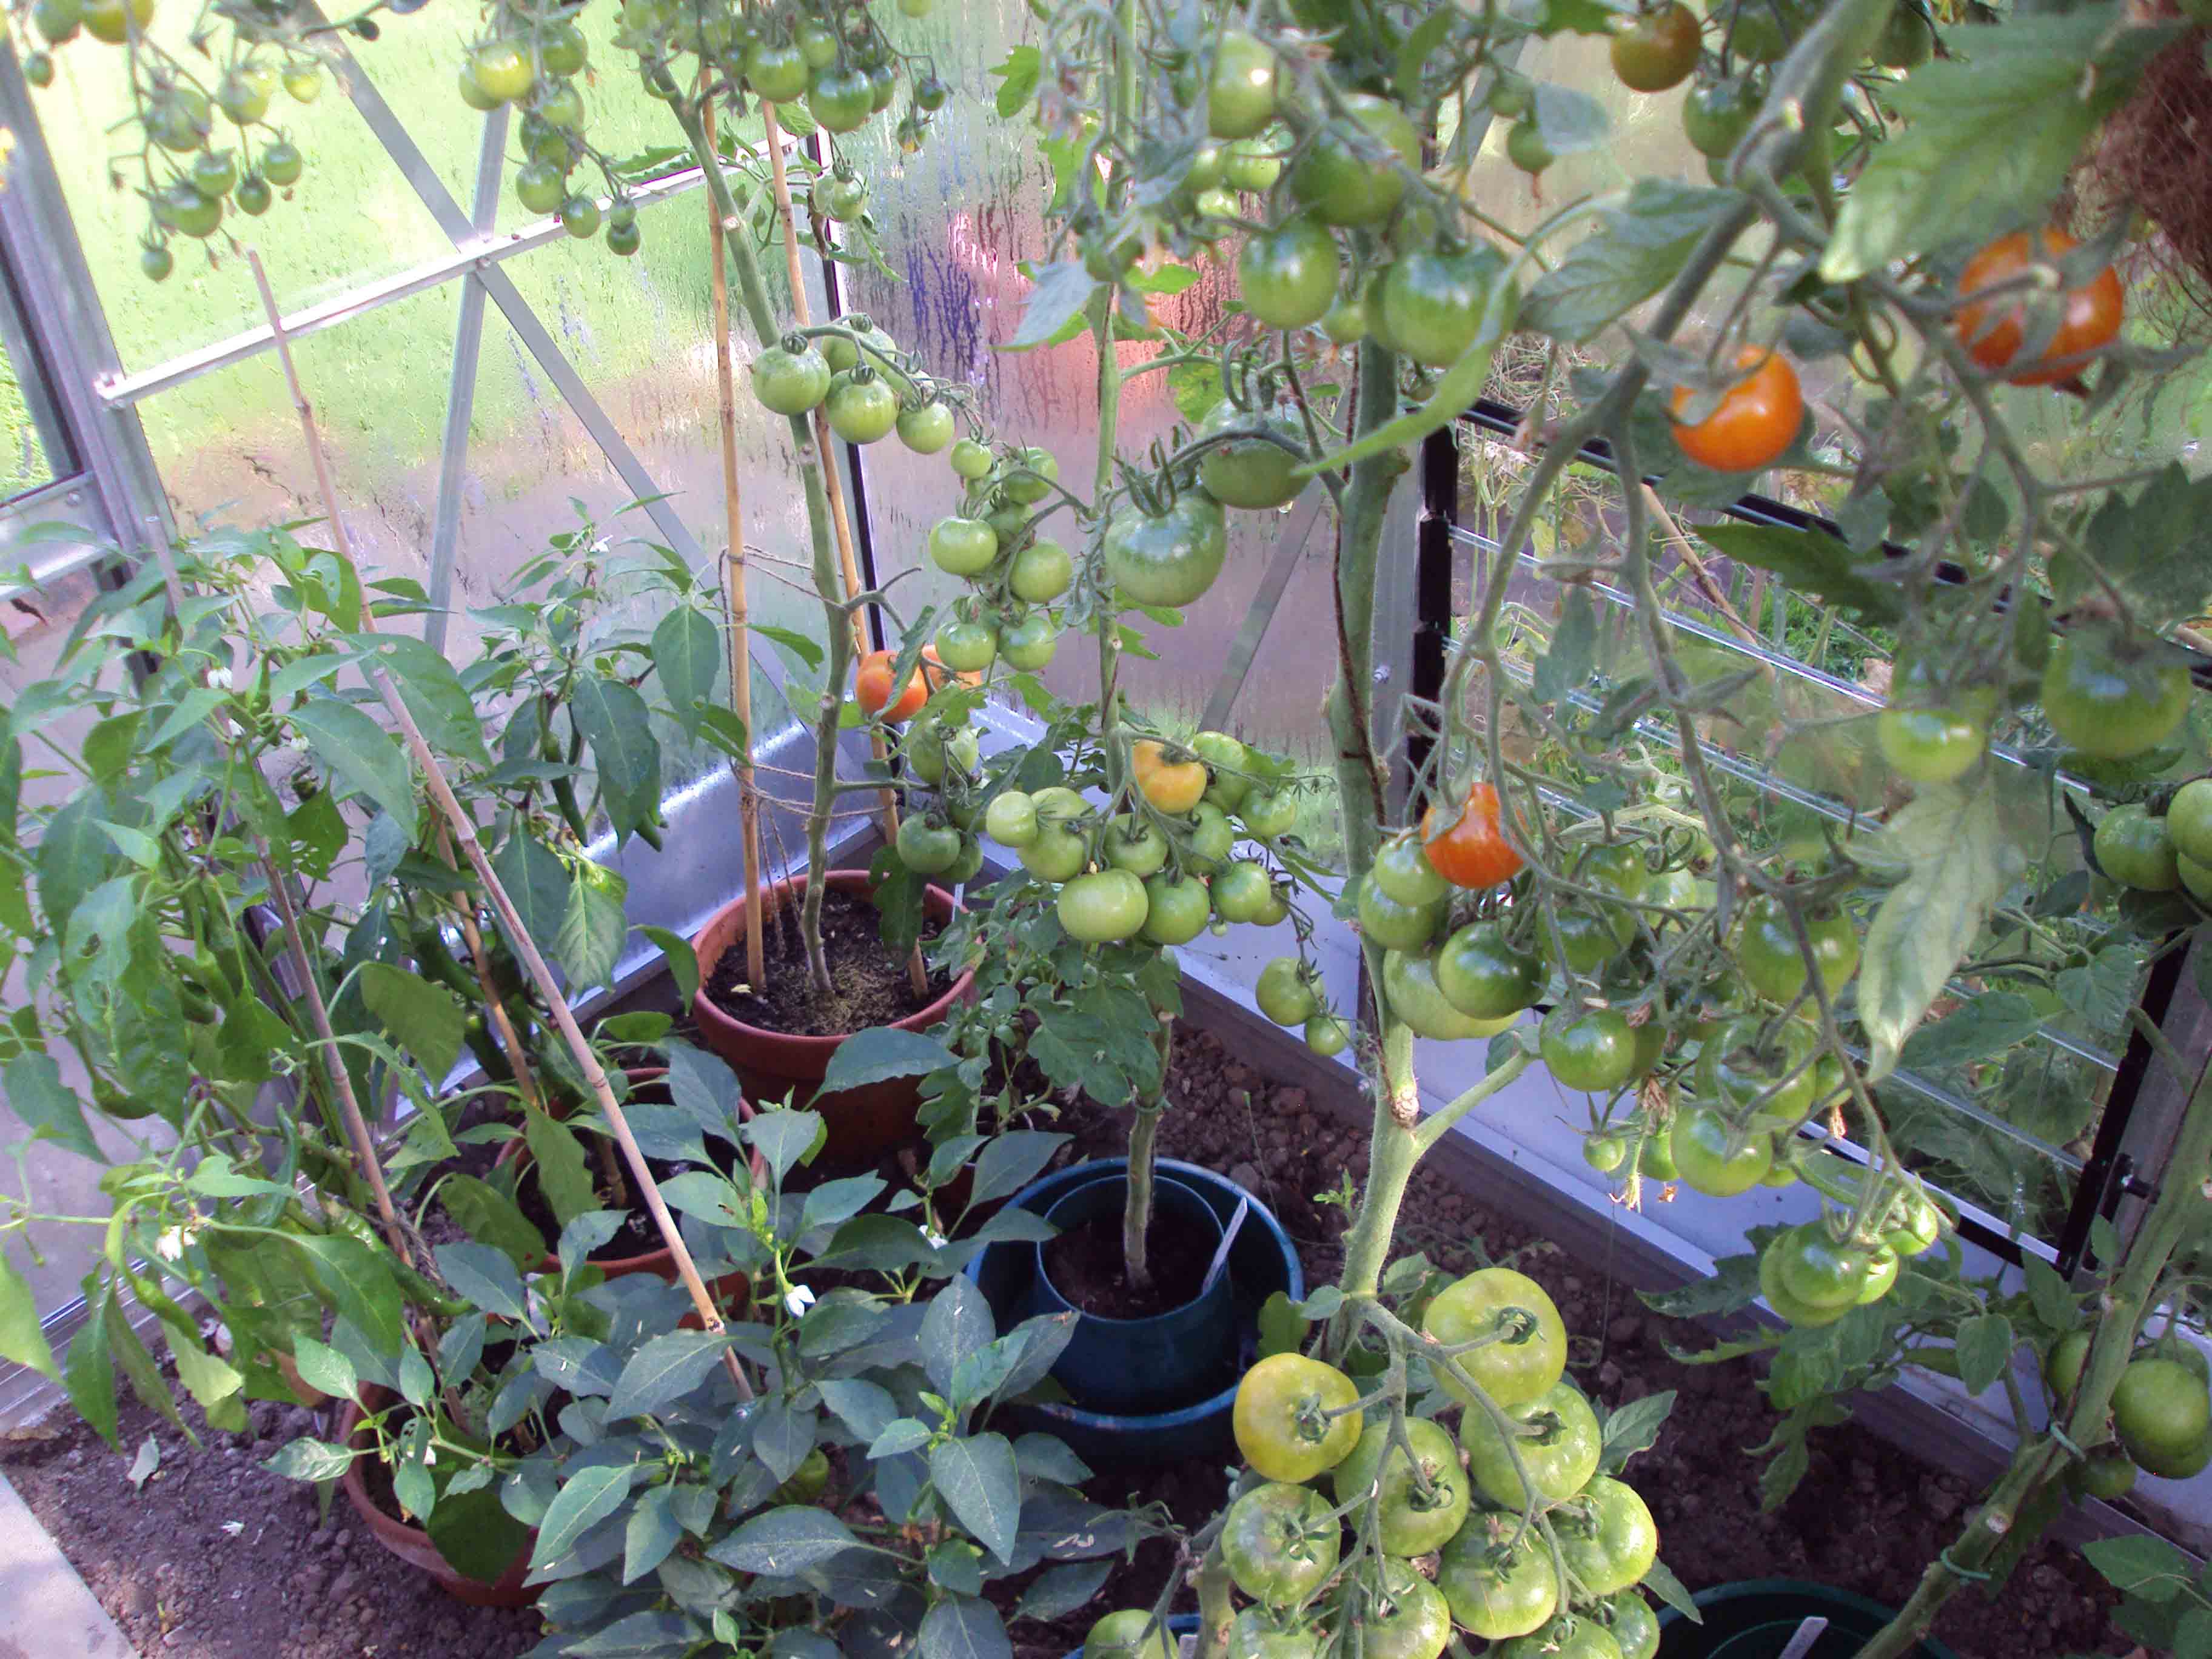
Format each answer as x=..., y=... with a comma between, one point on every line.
x=463, y=828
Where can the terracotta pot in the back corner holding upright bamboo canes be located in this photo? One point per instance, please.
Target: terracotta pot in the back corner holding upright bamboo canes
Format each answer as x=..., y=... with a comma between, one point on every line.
x=864, y=1123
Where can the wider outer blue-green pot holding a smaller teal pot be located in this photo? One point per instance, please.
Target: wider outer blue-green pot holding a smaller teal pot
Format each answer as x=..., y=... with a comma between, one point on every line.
x=1262, y=1262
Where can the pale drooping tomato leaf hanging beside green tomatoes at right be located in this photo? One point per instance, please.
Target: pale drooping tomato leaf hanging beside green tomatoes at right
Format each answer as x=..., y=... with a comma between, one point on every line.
x=1959, y=864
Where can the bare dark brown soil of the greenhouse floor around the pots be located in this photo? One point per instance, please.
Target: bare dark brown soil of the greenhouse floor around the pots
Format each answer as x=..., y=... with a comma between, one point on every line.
x=218, y=1558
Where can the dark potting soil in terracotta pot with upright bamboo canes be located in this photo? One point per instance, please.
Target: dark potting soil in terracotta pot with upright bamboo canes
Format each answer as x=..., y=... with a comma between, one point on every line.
x=873, y=985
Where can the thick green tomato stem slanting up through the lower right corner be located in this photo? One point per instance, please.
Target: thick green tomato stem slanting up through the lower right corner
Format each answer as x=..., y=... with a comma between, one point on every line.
x=2036, y=1463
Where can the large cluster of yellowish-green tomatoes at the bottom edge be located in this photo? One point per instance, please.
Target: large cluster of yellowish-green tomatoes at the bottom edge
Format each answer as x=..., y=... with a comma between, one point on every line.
x=1527, y=1443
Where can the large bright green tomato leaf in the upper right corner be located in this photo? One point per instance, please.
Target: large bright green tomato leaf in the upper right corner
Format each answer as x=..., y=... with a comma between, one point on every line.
x=1990, y=134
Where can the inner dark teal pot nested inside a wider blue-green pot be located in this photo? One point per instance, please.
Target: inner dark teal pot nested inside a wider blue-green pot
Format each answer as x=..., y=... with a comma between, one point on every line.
x=1154, y=1364
